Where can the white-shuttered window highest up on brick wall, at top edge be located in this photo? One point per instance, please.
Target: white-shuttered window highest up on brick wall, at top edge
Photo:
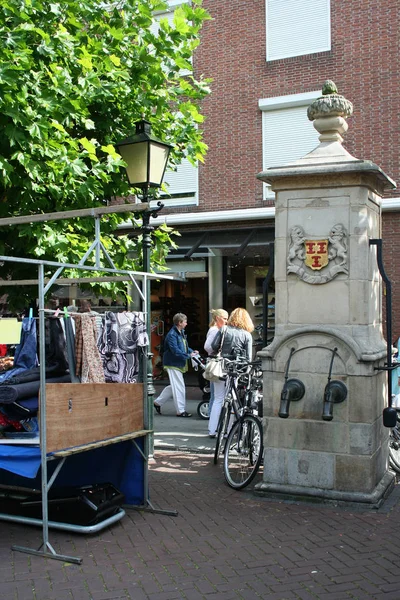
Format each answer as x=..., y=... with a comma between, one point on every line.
x=297, y=27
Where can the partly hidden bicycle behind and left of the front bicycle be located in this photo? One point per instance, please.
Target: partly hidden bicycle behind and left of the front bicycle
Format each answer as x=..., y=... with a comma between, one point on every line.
x=233, y=400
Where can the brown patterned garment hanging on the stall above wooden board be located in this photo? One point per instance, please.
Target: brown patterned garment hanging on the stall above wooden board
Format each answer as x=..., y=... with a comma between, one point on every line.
x=88, y=361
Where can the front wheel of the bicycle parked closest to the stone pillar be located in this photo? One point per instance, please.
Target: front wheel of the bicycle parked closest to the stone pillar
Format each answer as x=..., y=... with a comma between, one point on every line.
x=243, y=452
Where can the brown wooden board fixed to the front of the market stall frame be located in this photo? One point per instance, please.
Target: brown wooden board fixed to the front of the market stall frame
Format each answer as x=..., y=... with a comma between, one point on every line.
x=82, y=413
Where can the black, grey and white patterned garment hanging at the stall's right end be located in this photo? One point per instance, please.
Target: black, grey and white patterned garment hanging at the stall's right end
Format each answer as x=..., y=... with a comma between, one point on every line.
x=121, y=337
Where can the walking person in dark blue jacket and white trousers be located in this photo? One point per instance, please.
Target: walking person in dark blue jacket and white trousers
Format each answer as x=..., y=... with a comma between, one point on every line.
x=175, y=357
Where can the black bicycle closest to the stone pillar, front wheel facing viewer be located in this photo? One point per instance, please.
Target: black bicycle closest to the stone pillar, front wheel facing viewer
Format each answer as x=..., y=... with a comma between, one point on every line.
x=244, y=447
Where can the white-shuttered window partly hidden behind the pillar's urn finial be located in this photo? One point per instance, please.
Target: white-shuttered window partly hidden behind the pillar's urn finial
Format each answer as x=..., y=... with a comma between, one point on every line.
x=287, y=134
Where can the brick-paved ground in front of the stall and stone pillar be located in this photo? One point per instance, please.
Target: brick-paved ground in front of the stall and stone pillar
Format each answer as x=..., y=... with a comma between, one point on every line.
x=223, y=545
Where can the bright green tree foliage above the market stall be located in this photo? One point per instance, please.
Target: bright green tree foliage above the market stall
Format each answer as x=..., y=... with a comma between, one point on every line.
x=75, y=75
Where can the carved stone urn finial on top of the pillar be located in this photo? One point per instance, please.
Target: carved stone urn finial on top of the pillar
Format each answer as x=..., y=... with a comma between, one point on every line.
x=329, y=113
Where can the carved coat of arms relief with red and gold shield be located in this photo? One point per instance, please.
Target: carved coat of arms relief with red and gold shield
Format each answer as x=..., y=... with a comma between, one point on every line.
x=318, y=260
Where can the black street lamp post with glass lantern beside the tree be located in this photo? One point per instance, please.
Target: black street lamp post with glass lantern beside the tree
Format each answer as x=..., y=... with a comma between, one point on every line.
x=146, y=158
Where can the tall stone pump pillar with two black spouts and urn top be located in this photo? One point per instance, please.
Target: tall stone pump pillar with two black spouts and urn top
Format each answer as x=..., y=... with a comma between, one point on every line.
x=328, y=318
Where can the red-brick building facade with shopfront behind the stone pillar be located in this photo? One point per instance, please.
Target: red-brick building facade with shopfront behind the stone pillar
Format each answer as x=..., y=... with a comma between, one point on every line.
x=362, y=41
